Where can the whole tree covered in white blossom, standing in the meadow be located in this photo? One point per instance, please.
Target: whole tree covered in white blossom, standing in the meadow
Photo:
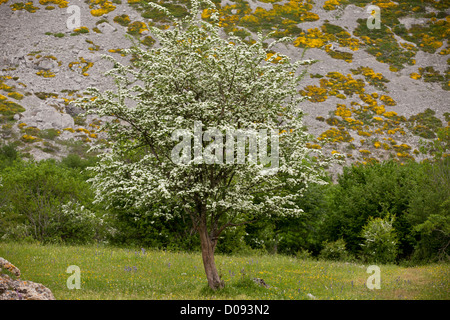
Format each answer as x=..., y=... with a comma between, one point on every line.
x=194, y=79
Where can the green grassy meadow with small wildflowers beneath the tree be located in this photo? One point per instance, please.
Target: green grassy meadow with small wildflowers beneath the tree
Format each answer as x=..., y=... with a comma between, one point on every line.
x=117, y=273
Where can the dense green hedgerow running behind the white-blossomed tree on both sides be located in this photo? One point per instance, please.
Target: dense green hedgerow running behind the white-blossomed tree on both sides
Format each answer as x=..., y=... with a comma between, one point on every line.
x=383, y=212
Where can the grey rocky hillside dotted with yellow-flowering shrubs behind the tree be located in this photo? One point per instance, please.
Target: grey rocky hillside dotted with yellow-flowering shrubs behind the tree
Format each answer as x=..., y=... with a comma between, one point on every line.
x=374, y=94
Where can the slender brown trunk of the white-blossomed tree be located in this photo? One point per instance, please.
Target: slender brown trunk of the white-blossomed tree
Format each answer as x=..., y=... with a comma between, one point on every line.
x=208, y=246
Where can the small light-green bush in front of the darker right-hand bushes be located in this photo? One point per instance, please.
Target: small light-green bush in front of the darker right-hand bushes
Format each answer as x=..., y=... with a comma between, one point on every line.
x=380, y=240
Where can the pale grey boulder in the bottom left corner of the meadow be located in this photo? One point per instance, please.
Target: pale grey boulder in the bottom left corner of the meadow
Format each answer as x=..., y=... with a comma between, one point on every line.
x=11, y=289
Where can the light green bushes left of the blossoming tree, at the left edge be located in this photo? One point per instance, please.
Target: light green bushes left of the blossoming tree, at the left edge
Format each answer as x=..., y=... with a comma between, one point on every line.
x=42, y=201
